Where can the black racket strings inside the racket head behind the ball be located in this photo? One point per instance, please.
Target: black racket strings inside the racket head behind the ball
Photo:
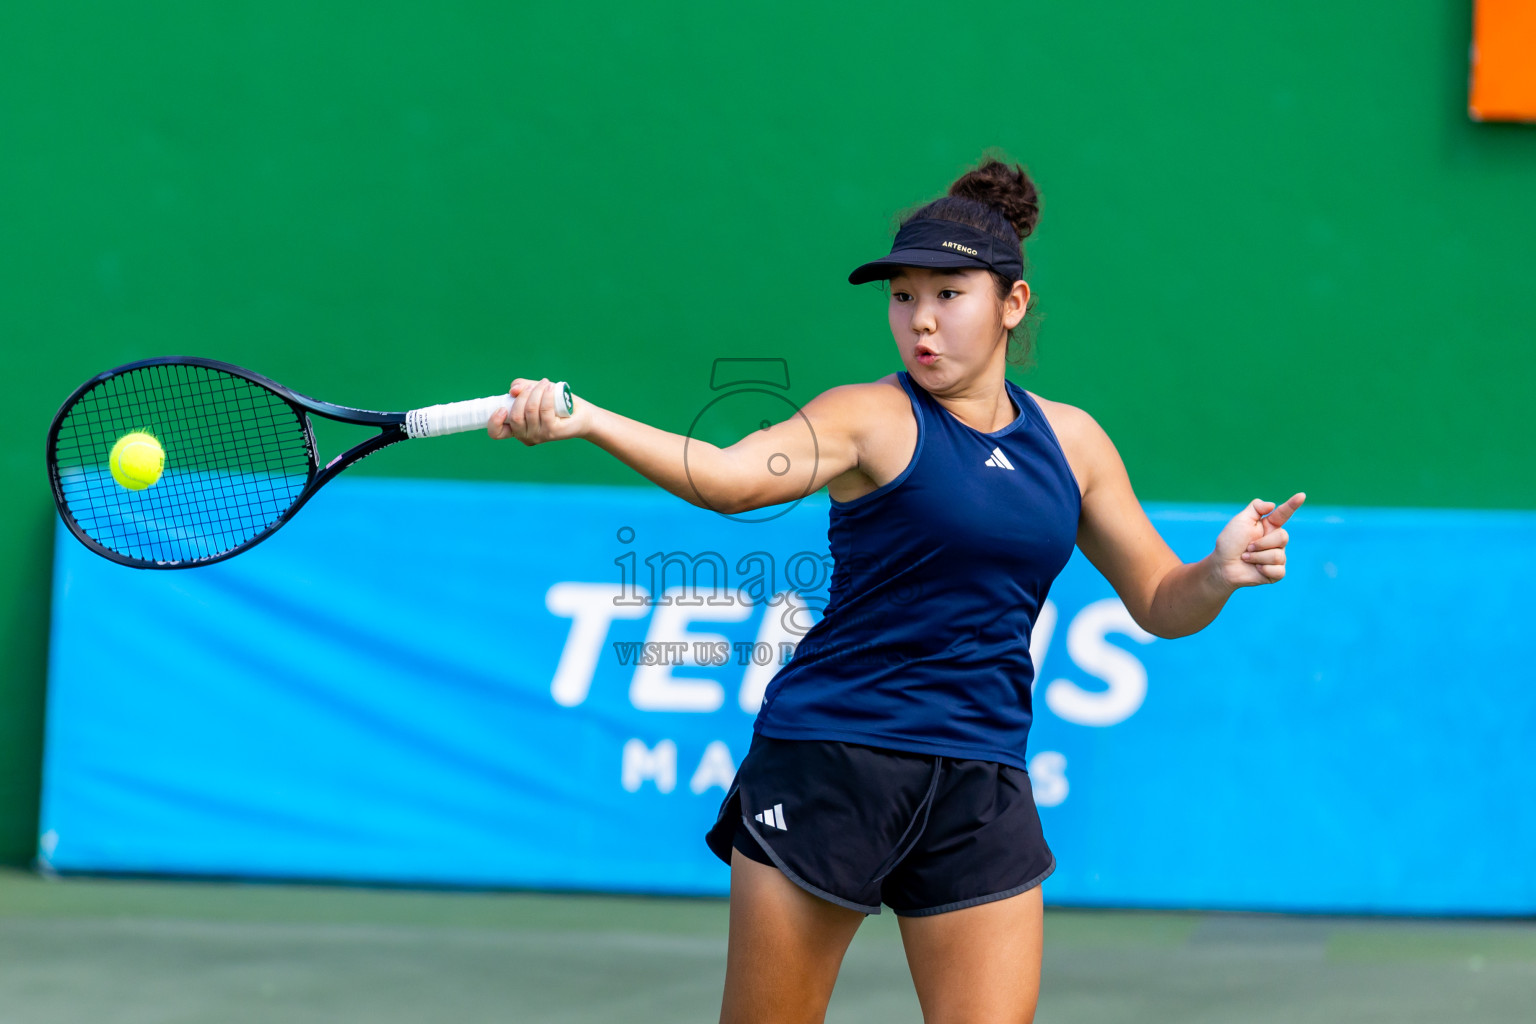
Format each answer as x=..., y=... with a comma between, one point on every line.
x=237, y=458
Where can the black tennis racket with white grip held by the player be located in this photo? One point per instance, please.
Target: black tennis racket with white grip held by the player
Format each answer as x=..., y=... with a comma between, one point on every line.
x=239, y=457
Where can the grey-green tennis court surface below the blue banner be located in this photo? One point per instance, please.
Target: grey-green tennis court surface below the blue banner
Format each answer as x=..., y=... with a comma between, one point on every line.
x=121, y=953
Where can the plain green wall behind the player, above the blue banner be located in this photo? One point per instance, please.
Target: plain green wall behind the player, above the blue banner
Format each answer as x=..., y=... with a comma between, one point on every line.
x=1276, y=254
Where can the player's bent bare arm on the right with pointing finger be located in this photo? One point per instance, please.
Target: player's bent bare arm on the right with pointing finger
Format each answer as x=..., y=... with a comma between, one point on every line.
x=1165, y=595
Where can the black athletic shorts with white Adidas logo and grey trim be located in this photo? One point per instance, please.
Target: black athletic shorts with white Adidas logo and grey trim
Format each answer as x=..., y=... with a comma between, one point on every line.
x=861, y=827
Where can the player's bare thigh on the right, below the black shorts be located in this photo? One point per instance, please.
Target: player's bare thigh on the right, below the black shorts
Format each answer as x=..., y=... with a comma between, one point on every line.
x=981, y=963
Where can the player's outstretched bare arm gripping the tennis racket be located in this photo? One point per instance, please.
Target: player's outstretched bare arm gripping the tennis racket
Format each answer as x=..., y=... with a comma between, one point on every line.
x=767, y=467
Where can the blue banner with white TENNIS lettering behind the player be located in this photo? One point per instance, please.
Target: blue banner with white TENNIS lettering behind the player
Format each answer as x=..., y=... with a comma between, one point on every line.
x=551, y=687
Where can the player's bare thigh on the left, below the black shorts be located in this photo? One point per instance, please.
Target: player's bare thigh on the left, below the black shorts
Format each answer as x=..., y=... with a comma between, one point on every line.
x=786, y=948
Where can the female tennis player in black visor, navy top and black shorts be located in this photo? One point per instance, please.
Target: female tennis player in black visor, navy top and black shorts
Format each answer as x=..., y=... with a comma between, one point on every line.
x=887, y=764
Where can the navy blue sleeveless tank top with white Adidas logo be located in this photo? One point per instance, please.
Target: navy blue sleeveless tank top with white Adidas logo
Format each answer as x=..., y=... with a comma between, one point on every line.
x=938, y=580
